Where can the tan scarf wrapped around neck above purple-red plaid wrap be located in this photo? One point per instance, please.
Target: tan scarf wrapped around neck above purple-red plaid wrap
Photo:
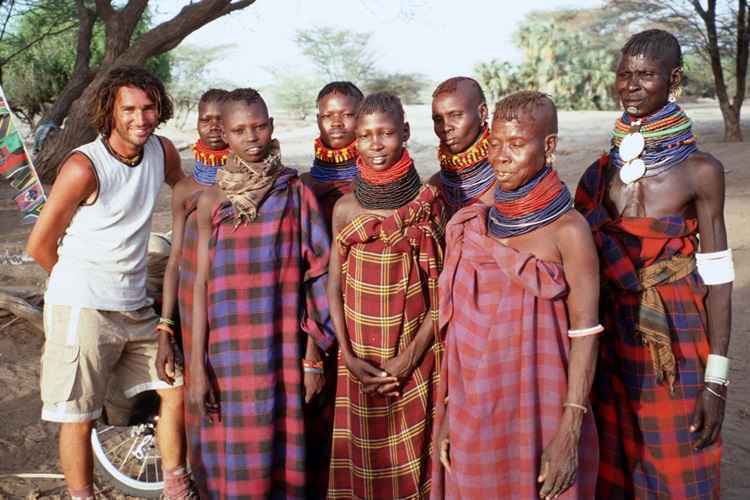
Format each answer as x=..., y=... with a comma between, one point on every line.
x=246, y=184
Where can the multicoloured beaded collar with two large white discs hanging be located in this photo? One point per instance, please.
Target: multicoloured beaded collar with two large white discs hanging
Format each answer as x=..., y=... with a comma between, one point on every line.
x=651, y=145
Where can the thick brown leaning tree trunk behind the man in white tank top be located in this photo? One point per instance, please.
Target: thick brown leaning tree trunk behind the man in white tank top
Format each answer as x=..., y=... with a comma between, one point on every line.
x=119, y=28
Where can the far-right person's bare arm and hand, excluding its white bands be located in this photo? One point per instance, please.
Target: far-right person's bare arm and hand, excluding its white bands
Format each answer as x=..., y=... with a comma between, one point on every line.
x=708, y=183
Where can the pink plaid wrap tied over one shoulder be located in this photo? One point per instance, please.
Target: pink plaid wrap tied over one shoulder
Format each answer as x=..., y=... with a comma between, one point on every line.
x=506, y=367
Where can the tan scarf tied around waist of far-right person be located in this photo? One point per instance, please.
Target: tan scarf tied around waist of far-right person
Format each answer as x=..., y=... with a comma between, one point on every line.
x=652, y=315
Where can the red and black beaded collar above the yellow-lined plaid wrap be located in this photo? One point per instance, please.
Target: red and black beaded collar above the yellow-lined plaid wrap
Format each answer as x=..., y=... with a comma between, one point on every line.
x=391, y=189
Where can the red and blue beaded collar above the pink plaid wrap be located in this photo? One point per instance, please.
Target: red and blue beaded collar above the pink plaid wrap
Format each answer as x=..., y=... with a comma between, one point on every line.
x=539, y=202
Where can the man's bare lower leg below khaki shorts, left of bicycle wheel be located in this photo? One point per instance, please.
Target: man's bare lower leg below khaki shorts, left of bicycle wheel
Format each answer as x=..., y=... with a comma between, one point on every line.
x=76, y=457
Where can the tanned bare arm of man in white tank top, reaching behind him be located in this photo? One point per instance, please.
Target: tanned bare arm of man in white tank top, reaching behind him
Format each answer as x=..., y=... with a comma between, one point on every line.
x=75, y=183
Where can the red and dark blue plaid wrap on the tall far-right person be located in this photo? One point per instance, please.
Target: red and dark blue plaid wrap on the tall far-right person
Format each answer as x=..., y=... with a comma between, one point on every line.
x=645, y=443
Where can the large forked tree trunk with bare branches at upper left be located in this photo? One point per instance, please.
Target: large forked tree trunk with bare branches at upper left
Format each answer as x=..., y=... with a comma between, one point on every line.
x=122, y=46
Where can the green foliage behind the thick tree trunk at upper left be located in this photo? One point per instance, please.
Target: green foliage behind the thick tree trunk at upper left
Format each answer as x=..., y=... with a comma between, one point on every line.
x=40, y=48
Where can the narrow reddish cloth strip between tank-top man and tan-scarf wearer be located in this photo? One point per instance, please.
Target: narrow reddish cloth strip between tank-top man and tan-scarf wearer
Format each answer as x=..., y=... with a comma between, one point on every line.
x=188, y=262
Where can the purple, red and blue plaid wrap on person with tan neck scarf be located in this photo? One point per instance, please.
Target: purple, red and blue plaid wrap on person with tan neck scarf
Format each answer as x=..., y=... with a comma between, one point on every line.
x=266, y=293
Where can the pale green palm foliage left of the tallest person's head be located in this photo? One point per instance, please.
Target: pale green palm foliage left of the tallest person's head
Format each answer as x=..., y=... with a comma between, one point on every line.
x=566, y=62
